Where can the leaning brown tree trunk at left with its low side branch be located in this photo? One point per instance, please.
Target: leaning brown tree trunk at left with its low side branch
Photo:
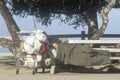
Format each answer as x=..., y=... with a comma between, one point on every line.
x=11, y=26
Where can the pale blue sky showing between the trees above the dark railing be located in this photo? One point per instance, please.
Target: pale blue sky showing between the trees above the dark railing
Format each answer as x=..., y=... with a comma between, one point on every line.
x=60, y=28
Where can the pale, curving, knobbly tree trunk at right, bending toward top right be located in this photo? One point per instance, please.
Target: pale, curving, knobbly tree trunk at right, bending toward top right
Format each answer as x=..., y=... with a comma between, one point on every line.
x=104, y=13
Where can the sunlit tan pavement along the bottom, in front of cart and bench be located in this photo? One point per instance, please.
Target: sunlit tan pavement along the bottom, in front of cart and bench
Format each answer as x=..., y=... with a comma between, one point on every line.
x=7, y=72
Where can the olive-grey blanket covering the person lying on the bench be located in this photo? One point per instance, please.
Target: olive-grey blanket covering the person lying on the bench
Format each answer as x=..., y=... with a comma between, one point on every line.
x=82, y=55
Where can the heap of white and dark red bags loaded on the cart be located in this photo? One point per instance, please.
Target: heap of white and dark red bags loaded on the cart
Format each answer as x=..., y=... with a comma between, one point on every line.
x=36, y=43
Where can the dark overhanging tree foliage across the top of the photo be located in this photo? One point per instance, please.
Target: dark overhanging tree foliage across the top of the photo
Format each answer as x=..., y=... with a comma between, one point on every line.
x=47, y=10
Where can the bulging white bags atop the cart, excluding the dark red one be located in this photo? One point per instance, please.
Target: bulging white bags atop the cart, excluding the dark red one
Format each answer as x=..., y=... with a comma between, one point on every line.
x=32, y=43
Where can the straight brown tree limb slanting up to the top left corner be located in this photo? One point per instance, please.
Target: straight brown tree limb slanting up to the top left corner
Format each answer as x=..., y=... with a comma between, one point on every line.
x=11, y=25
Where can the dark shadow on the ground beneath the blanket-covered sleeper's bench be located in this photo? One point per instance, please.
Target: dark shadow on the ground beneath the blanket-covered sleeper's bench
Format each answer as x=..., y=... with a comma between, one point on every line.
x=105, y=70
